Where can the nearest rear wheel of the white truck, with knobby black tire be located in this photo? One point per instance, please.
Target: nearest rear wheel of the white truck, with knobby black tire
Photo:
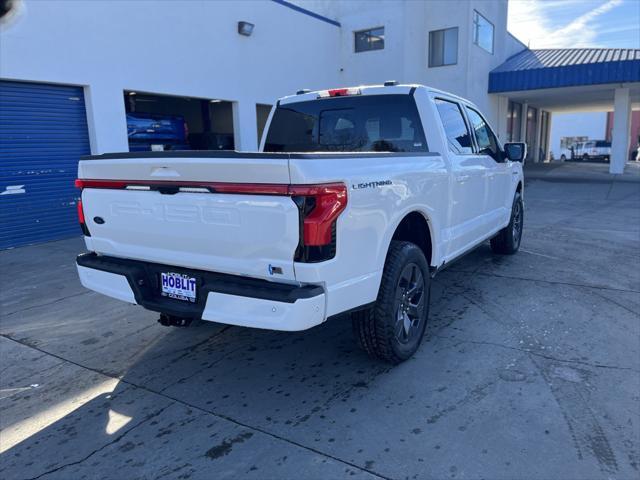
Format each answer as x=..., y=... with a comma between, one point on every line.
x=393, y=328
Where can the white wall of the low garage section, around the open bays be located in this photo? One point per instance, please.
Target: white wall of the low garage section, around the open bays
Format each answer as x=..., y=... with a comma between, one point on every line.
x=168, y=47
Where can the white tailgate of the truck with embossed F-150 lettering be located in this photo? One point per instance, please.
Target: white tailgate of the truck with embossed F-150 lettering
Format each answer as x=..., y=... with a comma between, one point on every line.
x=165, y=210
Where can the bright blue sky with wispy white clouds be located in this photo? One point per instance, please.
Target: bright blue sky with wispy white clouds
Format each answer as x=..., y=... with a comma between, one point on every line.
x=575, y=23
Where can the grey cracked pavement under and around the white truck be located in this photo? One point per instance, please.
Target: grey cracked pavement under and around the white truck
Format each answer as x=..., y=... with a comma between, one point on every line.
x=530, y=369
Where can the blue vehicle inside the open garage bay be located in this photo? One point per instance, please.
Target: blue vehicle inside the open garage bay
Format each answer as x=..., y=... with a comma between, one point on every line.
x=149, y=131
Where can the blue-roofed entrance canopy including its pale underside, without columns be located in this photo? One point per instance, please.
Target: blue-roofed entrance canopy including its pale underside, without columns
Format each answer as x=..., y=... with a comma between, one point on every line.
x=568, y=79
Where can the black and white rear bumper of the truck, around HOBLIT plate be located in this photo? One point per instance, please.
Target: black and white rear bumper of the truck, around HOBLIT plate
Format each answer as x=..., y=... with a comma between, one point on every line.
x=222, y=298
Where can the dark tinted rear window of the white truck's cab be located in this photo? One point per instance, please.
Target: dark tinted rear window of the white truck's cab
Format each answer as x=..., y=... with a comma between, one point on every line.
x=367, y=123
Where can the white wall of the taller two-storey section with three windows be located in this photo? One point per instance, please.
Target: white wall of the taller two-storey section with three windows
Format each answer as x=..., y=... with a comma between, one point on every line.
x=405, y=56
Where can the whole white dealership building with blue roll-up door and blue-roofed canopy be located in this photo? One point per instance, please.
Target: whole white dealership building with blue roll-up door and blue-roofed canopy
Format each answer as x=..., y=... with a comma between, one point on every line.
x=101, y=76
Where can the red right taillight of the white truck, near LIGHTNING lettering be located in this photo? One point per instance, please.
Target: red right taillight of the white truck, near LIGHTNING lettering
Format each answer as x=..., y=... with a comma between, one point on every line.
x=329, y=201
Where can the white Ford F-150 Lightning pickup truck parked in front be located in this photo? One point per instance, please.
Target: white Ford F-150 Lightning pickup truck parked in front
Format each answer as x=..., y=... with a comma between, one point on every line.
x=357, y=197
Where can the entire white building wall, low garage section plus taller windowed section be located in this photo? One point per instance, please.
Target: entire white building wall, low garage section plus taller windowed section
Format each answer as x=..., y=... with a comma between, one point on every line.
x=192, y=48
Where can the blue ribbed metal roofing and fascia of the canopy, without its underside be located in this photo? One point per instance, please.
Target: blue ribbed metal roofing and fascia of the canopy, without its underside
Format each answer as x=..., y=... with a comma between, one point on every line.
x=565, y=67
